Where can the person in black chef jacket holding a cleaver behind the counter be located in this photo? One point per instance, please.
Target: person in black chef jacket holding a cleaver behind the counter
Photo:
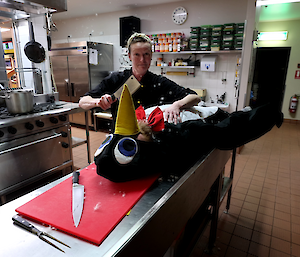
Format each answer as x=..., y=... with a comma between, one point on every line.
x=154, y=90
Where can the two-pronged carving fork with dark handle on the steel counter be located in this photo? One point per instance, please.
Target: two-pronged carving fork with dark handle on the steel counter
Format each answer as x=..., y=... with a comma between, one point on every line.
x=18, y=220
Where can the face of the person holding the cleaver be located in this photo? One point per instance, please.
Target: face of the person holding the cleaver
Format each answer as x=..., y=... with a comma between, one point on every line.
x=140, y=55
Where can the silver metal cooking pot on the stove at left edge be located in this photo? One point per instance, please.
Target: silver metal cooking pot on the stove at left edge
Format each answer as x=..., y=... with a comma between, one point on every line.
x=19, y=101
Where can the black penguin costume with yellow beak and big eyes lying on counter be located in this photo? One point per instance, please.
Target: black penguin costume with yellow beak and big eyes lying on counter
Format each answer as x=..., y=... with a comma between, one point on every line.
x=175, y=148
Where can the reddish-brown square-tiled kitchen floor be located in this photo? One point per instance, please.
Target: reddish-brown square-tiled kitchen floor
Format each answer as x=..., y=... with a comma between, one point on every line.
x=264, y=216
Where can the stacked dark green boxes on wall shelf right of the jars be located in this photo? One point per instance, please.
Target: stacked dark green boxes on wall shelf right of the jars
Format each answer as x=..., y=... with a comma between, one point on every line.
x=217, y=37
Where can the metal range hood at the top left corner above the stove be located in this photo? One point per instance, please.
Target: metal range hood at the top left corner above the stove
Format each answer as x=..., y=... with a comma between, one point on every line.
x=21, y=9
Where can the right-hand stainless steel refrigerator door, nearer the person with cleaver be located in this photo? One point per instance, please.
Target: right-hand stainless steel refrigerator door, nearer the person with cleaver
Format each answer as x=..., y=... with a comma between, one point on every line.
x=79, y=76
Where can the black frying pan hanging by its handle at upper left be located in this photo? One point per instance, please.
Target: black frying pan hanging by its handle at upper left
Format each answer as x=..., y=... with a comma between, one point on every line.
x=34, y=51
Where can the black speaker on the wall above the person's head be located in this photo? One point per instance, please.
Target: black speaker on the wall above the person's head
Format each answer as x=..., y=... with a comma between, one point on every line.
x=128, y=25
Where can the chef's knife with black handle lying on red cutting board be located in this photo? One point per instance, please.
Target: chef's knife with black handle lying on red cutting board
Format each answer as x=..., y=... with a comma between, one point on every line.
x=77, y=198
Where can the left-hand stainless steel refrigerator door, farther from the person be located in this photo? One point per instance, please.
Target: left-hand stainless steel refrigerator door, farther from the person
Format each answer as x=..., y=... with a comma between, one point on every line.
x=61, y=77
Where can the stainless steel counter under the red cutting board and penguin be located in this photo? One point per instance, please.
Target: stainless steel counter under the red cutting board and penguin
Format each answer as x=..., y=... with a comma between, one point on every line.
x=152, y=226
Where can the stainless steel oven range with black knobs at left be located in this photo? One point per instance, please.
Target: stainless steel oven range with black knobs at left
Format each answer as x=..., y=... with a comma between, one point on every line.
x=33, y=146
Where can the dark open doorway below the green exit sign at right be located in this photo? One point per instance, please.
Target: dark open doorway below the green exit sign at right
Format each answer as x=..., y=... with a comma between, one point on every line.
x=269, y=76
